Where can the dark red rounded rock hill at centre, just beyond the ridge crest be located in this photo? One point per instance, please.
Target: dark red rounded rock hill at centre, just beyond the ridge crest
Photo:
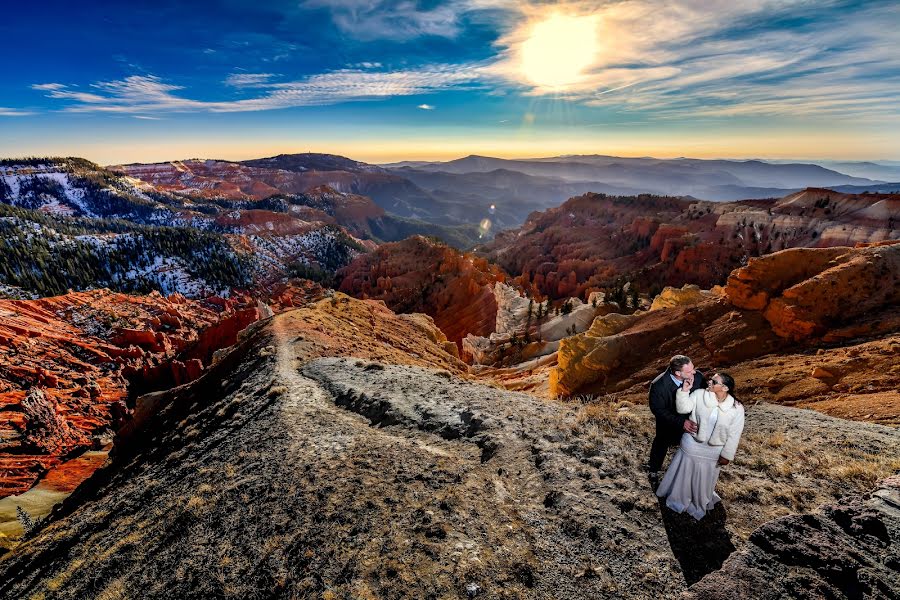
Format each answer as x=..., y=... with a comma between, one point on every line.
x=418, y=275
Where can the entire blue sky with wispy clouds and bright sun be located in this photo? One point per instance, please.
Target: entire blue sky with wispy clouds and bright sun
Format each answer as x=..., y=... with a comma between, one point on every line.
x=381, y=81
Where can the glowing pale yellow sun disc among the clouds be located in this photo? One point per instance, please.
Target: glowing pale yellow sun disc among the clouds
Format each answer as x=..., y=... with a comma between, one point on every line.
x=559, y=50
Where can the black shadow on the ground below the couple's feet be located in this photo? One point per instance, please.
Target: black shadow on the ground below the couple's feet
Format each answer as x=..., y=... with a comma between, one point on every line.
x=700, y=546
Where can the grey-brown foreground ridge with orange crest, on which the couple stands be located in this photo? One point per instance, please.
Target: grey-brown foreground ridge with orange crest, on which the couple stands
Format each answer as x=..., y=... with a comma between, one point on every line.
x=283, y=473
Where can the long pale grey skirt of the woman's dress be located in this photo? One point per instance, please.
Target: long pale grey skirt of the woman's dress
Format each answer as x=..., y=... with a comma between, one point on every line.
x=690, y=481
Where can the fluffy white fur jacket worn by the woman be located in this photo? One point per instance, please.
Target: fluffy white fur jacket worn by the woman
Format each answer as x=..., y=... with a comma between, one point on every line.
x=728, y=427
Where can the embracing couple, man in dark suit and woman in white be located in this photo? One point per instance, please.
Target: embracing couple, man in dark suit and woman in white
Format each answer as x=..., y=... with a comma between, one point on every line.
x=704, y=419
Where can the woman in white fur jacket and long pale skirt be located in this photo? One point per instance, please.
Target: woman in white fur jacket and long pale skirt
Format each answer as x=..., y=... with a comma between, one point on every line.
x=690, y=481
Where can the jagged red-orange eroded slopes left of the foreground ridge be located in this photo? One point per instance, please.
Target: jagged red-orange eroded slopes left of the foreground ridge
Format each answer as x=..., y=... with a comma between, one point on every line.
x=67, y=364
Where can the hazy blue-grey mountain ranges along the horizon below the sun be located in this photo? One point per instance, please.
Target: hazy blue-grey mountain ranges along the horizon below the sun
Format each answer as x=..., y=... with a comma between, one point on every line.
x=518, y=187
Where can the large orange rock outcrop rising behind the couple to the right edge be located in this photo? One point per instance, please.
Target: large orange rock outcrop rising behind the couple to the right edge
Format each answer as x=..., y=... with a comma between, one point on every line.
x=803, y=296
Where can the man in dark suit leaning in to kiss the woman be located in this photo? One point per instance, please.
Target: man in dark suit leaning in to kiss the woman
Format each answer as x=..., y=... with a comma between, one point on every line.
x=669, y=424
